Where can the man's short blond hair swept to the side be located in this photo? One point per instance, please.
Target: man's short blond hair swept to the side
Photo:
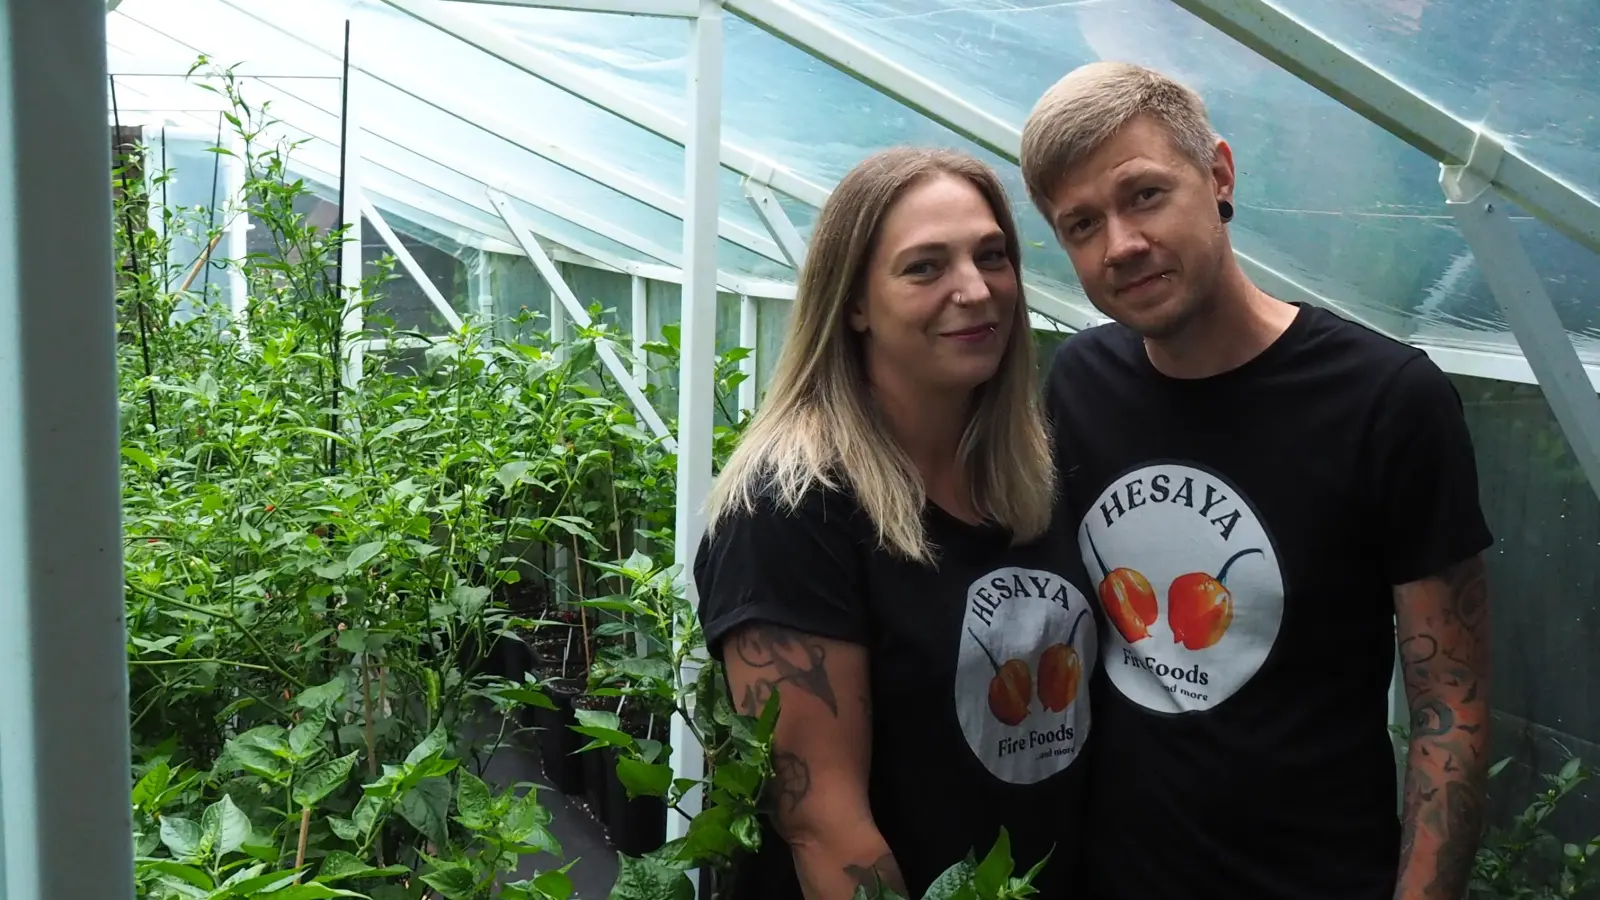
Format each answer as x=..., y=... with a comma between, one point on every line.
x=1092, y=103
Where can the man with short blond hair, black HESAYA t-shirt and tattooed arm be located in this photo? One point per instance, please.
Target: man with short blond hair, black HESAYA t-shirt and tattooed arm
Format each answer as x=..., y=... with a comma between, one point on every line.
x=1265, y=494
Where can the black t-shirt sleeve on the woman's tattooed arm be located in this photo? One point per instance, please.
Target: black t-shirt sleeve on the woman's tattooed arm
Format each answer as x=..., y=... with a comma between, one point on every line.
x=793, y=568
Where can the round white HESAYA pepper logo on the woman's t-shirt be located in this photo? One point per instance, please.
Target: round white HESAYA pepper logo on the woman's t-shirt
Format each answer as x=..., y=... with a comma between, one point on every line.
x=1028, y=646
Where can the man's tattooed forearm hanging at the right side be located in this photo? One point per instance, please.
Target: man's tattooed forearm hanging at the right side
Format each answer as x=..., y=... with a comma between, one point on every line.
x=1444, y=654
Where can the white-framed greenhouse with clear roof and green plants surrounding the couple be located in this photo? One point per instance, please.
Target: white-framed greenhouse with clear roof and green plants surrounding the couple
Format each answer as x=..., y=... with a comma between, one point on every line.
x=367, y=366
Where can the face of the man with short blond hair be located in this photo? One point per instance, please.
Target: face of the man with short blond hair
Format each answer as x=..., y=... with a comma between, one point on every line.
x=1140, y=223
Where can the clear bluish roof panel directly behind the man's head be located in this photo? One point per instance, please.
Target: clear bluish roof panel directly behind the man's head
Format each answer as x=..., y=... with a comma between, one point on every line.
x=1326, y=198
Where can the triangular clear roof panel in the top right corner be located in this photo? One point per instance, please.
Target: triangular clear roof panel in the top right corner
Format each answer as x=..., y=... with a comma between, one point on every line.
x=1529, y=71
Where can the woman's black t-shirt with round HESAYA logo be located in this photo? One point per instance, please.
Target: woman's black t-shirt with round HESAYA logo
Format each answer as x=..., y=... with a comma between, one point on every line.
x=946, y=771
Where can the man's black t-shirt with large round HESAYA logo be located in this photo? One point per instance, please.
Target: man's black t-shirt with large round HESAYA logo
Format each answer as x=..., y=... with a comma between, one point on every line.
x=1242, y=534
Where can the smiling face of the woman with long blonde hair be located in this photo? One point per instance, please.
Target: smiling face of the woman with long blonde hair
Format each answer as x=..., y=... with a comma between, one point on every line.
x=940, y=292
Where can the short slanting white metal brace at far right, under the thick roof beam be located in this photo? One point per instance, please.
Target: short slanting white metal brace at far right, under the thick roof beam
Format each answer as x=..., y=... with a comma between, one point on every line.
x=1479, y=211
